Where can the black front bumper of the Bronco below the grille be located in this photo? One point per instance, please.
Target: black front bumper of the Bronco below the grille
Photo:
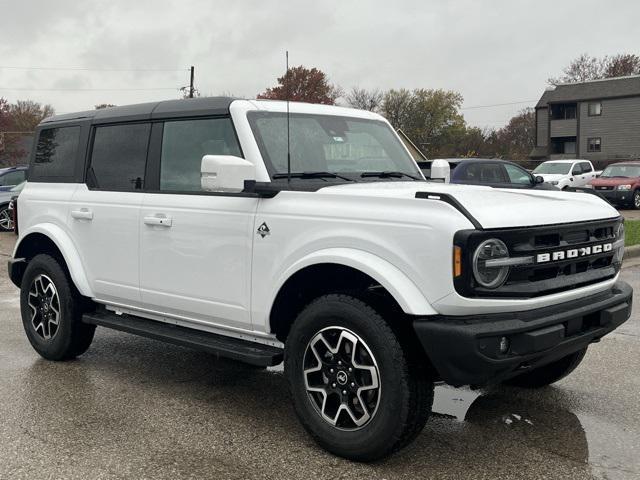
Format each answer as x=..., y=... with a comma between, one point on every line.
x=465, y=350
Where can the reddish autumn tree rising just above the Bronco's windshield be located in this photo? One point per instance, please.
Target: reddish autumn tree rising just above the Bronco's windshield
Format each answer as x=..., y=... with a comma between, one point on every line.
x=302, y=84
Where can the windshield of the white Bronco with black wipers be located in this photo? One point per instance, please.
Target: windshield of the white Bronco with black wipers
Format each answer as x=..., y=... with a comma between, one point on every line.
x=325, y=143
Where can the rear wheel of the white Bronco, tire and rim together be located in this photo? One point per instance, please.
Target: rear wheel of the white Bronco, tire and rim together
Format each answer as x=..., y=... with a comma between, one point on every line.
x=52, y=310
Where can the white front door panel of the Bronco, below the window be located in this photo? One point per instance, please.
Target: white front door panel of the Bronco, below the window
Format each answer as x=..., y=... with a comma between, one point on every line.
x=199, y=265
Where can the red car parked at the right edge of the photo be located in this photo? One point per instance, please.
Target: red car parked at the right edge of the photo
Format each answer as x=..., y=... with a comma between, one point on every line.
x=620, y=184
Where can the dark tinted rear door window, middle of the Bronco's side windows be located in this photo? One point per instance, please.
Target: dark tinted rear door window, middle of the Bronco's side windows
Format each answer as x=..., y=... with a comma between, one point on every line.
x=119, y=157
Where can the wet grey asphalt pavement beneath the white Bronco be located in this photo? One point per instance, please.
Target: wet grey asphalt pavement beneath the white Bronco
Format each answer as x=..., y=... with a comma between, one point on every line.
x=135, y=408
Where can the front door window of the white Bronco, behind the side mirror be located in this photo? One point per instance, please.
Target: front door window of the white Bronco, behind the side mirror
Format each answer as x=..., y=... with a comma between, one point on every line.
x=185, y=142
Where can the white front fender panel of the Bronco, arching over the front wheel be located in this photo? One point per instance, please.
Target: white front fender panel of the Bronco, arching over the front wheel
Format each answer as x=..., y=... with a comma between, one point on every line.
x=411, y=256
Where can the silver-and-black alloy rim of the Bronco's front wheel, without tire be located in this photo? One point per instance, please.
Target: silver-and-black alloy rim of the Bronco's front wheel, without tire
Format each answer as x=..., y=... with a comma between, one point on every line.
x=341, y=378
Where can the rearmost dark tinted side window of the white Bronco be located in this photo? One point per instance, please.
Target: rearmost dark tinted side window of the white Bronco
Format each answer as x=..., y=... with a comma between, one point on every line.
x=56, y=153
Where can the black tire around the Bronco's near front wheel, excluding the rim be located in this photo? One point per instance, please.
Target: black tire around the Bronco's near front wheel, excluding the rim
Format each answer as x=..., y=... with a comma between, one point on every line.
x=406, y=393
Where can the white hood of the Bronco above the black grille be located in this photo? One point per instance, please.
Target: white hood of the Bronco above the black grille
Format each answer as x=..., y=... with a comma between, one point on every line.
x=495, y=207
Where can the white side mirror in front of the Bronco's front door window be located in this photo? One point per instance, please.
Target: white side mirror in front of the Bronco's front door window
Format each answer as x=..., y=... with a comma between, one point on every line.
x=225, y=173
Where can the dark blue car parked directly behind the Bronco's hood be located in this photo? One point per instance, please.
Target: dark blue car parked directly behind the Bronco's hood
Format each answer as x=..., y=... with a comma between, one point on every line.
x=495, y=173
